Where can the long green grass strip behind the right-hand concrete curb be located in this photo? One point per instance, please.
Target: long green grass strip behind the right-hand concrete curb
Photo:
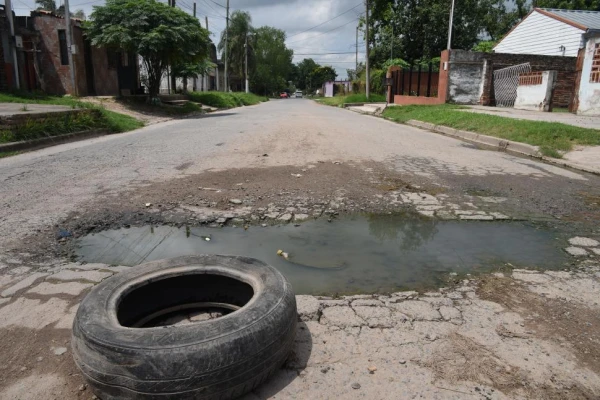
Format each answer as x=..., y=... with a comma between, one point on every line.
x=552, y=138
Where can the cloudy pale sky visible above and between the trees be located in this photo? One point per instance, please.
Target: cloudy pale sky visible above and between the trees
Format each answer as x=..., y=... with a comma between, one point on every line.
x=335, y=35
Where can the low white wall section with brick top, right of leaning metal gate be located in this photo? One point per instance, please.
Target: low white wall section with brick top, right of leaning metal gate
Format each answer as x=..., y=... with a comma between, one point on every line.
x=535, y=91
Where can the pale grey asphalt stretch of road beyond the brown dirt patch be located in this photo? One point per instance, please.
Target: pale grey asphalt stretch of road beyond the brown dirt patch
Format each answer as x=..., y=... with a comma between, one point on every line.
x=41, y=187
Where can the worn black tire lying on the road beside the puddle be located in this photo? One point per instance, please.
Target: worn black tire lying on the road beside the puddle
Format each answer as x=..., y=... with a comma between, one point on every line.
x=221, y=358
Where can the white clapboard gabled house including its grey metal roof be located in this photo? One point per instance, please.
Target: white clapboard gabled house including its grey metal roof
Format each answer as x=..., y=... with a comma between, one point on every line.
x=550, y=32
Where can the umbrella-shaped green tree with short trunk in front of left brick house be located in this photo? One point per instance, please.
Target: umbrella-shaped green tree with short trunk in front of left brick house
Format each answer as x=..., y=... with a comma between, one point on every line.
x=158, y=33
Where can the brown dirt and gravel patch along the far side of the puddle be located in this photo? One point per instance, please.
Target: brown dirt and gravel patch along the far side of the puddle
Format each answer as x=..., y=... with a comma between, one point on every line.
x=322, y=189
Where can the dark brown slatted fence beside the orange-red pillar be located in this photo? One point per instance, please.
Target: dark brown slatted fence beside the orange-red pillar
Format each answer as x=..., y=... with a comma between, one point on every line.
x=416, y=81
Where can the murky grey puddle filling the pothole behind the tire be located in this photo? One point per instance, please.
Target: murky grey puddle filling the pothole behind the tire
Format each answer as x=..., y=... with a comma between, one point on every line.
x=350, y=255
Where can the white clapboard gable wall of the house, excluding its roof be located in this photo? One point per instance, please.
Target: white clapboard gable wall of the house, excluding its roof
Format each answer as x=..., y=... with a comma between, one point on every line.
x=542, y=35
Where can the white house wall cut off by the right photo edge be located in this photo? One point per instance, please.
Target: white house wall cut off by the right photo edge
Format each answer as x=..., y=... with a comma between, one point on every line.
x=589, y=87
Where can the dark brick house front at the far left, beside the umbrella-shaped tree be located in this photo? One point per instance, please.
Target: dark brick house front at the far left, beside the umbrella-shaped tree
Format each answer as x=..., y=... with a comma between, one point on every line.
x=43, y=64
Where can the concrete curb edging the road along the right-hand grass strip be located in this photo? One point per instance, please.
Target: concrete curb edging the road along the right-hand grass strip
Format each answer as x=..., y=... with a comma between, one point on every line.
x=521, y=149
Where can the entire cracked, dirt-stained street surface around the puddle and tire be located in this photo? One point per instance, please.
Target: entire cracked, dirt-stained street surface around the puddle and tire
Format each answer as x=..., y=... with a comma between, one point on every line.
x=508, y=335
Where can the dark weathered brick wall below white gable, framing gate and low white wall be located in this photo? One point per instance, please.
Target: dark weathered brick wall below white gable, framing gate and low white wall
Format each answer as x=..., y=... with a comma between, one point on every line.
x=565, y=67
